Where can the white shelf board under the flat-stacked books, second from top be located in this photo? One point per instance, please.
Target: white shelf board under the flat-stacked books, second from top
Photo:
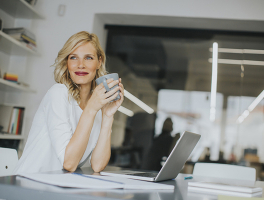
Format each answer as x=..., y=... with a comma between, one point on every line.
x=12, y=46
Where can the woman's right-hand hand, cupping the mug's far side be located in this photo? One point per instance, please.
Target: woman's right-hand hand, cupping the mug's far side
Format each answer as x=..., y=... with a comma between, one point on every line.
x=110, y=108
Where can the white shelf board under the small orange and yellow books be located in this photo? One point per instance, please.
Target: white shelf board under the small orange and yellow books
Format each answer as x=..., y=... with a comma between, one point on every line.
x=13, y=87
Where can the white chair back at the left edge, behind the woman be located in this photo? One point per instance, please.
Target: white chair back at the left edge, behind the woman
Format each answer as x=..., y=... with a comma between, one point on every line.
x=8, y=161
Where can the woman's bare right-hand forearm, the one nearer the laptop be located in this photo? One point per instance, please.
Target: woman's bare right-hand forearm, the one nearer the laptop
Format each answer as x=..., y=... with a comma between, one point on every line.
x=102, y=152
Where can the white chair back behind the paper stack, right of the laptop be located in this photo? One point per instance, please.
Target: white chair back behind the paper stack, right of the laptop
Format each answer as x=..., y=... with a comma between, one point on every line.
x=226, y=171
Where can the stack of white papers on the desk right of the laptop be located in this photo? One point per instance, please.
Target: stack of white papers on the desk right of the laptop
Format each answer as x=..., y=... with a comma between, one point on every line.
x=218, y=188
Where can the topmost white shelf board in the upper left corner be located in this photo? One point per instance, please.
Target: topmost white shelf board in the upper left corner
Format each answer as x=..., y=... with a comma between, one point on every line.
x=20, y=9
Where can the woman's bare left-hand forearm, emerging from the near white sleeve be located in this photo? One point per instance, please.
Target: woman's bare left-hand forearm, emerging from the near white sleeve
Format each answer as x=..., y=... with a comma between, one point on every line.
x=78, y=143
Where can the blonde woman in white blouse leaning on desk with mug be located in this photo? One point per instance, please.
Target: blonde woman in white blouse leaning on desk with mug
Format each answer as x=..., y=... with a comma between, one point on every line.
x=74, y=120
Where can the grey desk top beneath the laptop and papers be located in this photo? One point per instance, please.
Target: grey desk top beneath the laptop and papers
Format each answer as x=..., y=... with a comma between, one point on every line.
x=18, y=188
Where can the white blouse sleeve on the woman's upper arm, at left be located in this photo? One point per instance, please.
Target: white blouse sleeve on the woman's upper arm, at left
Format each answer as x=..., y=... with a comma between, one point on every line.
x=57, y=115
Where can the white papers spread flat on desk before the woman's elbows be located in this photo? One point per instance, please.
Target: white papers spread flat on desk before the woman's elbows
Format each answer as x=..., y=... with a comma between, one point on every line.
x=73, y=180
